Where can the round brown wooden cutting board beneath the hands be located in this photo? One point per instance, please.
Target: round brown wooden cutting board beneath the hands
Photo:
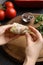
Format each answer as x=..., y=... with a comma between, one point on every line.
x=16, y=47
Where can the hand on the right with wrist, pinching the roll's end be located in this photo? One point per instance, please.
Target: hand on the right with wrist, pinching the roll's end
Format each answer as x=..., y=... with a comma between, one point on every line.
x=33, y=47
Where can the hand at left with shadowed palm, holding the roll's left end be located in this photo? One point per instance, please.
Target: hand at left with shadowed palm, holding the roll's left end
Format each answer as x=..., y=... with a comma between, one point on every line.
x=6, y=35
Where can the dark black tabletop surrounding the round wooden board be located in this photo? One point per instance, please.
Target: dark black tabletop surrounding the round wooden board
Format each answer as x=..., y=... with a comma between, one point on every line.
x=5, y=59
